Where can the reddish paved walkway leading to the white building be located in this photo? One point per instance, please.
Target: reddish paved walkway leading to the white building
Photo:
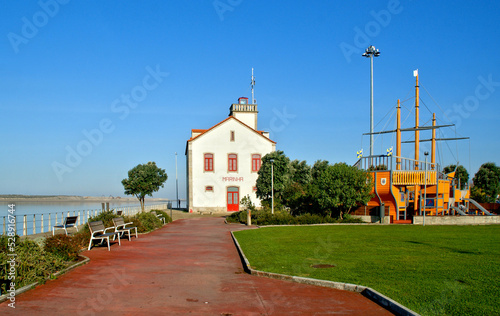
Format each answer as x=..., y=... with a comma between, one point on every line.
x=190, y=266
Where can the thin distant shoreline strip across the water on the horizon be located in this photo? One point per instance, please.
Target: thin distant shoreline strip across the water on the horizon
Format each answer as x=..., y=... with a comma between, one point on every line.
x=71, y=198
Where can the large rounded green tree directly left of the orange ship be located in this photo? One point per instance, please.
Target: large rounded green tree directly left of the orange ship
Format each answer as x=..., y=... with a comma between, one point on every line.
x=339, y=188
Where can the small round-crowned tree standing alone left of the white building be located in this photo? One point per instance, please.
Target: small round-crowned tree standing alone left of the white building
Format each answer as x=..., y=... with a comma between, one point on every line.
x=144, y=179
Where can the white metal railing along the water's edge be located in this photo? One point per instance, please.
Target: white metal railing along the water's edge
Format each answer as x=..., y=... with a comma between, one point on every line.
x=31, y=224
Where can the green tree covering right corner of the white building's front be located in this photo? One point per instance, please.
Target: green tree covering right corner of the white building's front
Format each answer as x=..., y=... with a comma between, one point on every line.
x=281, y=171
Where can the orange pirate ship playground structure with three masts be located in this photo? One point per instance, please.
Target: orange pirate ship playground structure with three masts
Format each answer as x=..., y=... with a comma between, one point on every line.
x=406, y=190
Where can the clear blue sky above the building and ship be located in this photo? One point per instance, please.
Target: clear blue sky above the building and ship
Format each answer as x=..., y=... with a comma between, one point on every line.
x=123, y=82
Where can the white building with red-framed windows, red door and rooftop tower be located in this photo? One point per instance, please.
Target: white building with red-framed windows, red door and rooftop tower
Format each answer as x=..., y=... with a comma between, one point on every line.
x=222, y=162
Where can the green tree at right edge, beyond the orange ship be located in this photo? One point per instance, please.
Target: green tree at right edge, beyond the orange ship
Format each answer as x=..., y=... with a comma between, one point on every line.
x=486, y=183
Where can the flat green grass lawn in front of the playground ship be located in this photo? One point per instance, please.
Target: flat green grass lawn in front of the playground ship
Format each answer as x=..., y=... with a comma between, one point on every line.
x=433, y=270
